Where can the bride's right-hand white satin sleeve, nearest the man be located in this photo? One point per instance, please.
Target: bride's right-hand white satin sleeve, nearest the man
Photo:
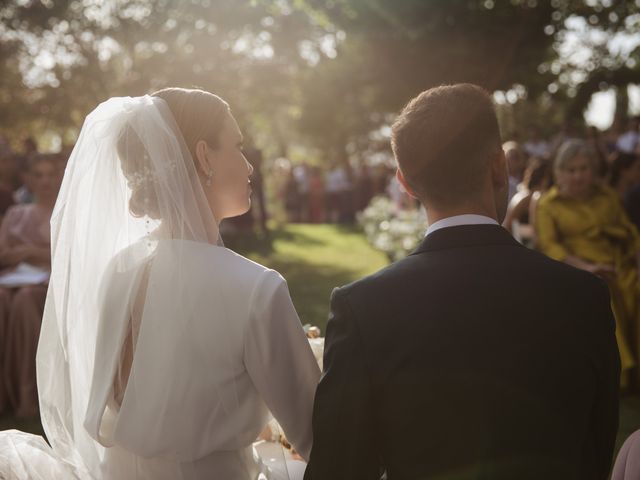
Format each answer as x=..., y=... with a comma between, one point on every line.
x=279, y=360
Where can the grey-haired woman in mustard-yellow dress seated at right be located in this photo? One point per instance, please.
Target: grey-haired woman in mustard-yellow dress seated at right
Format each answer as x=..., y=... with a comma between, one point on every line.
x=581, y=222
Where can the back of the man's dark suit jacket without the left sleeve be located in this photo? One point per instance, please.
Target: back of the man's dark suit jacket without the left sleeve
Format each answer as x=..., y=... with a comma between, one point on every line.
x=486, y=360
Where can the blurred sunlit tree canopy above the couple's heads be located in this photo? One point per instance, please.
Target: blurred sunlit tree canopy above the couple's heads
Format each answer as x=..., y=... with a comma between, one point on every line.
x=324, y=73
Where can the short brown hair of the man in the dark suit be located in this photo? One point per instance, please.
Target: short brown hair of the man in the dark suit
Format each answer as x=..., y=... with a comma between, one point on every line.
x=443, y=140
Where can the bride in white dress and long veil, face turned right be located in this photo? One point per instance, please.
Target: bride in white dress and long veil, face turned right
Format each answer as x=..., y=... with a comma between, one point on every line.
x=162, y=353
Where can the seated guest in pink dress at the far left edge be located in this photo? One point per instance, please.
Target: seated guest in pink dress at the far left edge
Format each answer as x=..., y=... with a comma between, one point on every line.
x=25, y=238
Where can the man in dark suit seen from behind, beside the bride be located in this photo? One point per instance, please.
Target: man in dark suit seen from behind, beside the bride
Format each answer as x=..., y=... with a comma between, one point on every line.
x=474, y=357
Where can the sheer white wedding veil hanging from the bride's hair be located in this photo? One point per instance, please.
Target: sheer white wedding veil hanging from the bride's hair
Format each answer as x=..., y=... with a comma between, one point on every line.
x=130, y=183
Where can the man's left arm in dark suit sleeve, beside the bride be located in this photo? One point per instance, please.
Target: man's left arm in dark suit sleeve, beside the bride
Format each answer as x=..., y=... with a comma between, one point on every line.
x=344, y=437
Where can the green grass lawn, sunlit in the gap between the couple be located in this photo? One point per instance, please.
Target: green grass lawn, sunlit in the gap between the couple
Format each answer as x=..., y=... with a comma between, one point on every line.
x=315, y=259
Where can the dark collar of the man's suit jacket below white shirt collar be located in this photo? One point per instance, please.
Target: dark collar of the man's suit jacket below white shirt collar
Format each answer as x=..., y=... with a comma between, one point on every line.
x=466, y=236
